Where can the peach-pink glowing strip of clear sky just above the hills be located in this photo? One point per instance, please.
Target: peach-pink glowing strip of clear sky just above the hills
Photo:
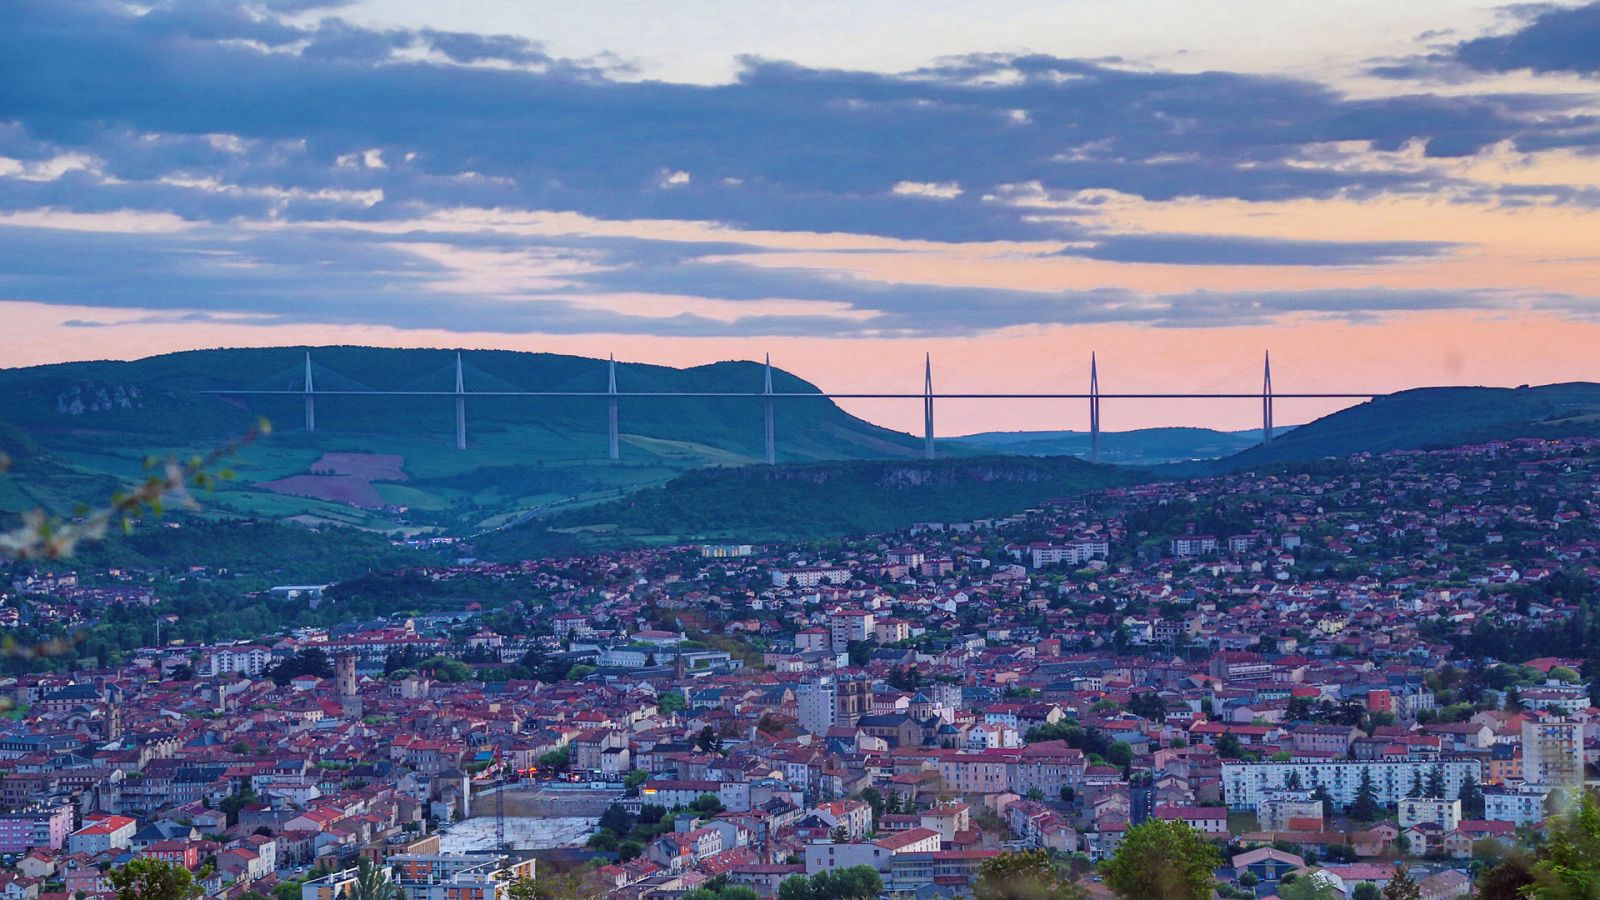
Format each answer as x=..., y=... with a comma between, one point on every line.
x=1308, y=355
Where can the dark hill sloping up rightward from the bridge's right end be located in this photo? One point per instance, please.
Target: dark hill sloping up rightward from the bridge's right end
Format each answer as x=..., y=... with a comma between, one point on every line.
x=1431, y=417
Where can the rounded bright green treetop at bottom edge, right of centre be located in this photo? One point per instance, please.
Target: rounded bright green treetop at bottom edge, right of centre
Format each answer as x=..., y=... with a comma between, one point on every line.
x=1162, y=861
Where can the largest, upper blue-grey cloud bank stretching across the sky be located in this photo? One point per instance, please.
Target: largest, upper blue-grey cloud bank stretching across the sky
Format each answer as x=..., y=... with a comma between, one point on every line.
x=783, y=148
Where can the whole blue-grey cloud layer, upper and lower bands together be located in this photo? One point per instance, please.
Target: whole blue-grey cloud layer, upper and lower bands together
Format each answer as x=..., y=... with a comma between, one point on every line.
x=234, y=159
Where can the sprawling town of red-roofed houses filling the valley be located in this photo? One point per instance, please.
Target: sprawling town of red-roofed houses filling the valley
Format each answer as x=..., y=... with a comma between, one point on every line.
x=1340, y=677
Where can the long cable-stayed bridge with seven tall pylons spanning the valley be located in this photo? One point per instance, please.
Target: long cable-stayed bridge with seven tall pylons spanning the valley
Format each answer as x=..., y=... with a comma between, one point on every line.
x=319, y=382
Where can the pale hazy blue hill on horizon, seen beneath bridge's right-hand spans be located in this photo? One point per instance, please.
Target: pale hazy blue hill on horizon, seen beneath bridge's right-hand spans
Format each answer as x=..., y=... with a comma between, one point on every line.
x=1142, y=448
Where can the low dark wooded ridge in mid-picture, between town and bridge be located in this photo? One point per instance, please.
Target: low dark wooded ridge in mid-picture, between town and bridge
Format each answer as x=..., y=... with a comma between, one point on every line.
x=809, y=502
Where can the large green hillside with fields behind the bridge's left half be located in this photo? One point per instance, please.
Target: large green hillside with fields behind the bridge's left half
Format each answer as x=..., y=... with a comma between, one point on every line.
x=386, y=464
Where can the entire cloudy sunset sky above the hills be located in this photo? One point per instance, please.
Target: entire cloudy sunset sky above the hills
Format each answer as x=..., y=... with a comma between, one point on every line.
x=1380, y=195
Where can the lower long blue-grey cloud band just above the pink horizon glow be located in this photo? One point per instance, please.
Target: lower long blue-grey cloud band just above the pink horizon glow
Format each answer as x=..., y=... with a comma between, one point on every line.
x=348, y=278
